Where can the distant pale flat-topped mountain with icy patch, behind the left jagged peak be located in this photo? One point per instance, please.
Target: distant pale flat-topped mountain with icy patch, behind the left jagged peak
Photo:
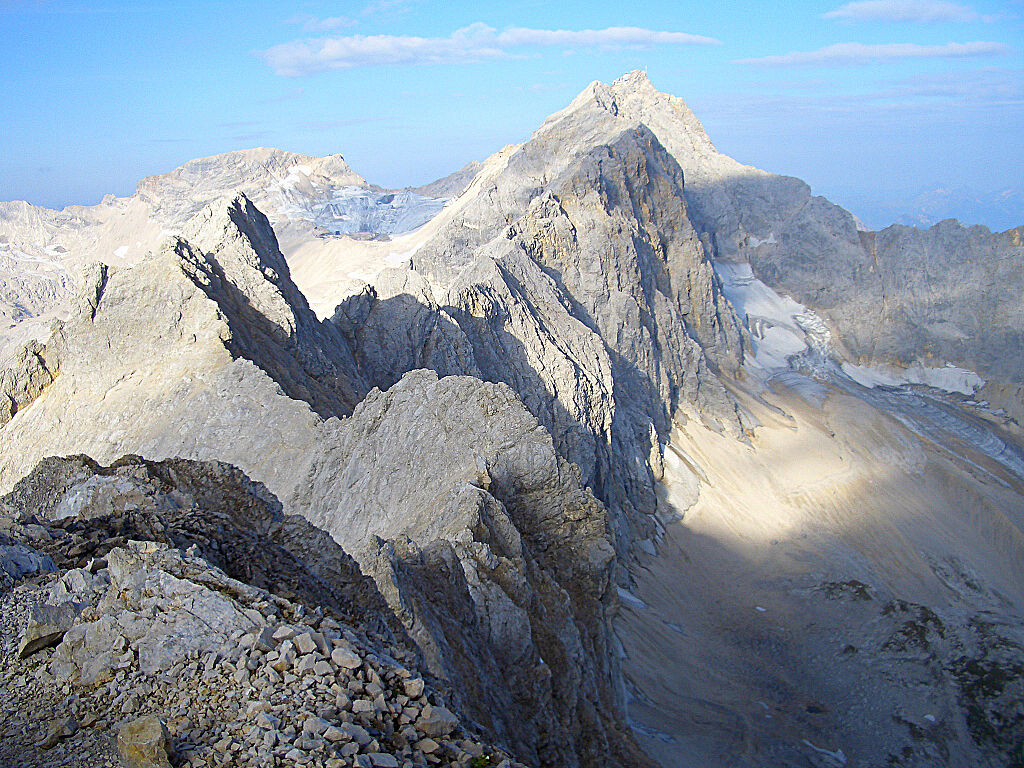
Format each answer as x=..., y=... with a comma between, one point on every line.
x=44, y=252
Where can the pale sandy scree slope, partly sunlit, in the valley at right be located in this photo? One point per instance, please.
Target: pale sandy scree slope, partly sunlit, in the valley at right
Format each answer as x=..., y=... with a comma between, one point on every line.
x=763, y=631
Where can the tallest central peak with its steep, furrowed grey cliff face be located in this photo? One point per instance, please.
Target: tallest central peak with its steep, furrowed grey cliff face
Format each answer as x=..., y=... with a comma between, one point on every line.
x=571, y=273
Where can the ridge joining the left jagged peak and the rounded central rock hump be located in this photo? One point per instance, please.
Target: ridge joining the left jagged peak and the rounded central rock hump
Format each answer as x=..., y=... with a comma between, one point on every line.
x=209, y=352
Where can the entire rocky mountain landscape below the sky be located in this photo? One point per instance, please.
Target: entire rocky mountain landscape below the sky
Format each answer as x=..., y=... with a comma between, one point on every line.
x=646, y=457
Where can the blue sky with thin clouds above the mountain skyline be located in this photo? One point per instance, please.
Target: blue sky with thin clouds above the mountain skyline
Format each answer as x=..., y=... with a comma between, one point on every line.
x=871, y=100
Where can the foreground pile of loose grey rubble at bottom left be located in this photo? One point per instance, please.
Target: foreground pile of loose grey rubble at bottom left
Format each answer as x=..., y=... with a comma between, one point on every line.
x=153, y=653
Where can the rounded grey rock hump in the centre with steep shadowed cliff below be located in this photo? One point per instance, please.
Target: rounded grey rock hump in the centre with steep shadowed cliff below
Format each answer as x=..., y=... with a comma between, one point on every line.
x=484, y=542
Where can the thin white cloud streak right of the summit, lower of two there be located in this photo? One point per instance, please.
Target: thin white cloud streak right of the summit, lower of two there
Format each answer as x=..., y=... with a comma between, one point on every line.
x=858, y=54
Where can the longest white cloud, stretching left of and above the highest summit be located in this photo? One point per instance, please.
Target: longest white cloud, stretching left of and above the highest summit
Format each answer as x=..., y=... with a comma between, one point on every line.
x=474, y=44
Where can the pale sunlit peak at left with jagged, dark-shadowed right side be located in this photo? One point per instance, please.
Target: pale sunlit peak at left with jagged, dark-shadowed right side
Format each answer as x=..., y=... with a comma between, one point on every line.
x=176, y=357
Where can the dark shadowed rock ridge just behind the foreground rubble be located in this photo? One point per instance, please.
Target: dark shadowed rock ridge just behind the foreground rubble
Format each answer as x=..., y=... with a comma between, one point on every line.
x=237, y=524
